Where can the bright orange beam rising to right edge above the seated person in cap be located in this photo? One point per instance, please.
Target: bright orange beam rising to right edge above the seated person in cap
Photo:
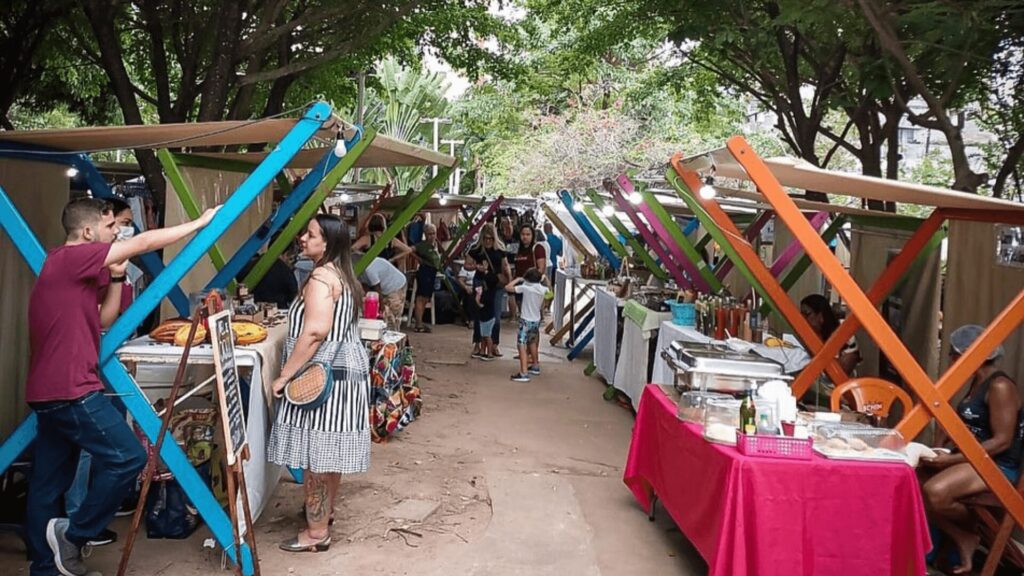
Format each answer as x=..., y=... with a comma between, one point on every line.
x=962, y=371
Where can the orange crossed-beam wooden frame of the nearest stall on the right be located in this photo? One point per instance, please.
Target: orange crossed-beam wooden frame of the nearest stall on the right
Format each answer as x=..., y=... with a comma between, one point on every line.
x=933, y=398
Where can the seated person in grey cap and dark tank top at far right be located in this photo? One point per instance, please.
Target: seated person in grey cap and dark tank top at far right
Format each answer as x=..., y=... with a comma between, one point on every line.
x=992, y=412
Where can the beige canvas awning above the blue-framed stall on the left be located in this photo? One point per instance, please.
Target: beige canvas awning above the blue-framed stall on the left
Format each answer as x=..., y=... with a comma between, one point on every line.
x=383, y=152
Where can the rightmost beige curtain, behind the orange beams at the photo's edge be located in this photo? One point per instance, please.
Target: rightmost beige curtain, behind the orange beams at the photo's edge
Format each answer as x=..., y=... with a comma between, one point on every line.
x=978, y=289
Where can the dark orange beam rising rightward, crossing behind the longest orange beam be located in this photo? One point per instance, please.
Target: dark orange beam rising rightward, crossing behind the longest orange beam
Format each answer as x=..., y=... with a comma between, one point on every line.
x=882, y=287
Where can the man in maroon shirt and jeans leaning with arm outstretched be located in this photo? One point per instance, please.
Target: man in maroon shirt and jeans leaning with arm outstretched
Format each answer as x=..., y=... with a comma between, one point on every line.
x=64, y=387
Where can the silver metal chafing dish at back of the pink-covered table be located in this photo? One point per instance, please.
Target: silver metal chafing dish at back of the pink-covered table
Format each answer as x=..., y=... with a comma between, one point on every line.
x=715, y=368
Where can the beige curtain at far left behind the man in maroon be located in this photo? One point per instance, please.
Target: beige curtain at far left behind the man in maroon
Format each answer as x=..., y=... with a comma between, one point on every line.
x=39, y=191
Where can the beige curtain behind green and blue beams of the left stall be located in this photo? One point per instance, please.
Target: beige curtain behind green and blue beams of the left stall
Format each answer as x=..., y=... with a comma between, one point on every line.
x=210, y=189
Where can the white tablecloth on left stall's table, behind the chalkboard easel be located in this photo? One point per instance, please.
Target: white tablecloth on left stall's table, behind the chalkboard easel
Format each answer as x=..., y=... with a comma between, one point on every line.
x=265, y=358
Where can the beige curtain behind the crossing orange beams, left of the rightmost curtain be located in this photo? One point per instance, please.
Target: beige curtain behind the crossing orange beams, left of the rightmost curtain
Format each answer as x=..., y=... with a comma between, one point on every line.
x=915, y=303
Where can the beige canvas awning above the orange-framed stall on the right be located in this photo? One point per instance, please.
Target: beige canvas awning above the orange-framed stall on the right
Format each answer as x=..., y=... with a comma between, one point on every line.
x=796, y=174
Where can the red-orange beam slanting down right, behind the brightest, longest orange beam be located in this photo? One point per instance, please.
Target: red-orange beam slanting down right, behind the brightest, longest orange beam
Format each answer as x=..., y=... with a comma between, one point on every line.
x=770, y=283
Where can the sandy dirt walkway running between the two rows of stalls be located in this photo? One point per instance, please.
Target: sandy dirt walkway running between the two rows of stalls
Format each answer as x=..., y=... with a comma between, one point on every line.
x=528, y=478
